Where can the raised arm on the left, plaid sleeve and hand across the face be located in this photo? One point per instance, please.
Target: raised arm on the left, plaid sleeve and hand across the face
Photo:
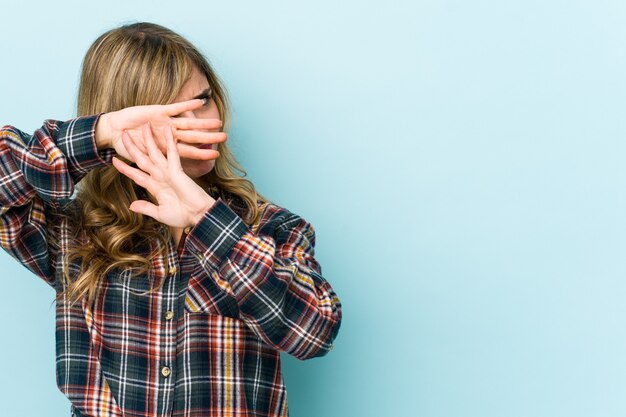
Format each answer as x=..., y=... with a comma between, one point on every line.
x=40, y=171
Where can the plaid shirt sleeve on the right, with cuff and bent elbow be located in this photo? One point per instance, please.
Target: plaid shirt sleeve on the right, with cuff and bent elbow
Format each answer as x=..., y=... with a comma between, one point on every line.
x=273, y=276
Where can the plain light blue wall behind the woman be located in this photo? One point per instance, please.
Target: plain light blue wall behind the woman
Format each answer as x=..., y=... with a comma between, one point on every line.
x=461, y=161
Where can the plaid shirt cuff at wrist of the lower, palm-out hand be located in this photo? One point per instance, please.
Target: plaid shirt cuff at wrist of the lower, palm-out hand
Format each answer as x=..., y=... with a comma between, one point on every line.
x=217, y=232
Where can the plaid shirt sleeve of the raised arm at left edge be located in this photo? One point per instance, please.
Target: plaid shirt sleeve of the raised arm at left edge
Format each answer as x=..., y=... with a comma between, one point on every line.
x=38, y=172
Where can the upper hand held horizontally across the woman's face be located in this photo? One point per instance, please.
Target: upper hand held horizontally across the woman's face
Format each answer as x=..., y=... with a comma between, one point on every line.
x=188, y=132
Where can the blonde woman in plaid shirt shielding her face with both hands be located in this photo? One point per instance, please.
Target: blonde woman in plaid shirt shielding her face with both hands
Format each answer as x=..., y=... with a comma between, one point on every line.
x=177, y=283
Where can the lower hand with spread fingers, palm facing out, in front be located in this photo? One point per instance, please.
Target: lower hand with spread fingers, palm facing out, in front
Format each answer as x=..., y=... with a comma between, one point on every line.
x=181, y=202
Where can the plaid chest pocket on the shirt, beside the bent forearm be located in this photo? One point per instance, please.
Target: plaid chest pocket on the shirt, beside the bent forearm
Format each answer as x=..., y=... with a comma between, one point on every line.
x=209, y=294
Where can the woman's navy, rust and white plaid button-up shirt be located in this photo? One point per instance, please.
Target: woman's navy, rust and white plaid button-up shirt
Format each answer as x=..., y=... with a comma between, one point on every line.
x=207, y=342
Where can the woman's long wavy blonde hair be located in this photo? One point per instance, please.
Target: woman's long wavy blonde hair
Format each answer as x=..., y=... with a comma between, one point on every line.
x=137, y=64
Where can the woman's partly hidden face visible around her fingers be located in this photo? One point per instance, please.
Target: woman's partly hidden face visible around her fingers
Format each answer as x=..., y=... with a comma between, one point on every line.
x=197, y=86
